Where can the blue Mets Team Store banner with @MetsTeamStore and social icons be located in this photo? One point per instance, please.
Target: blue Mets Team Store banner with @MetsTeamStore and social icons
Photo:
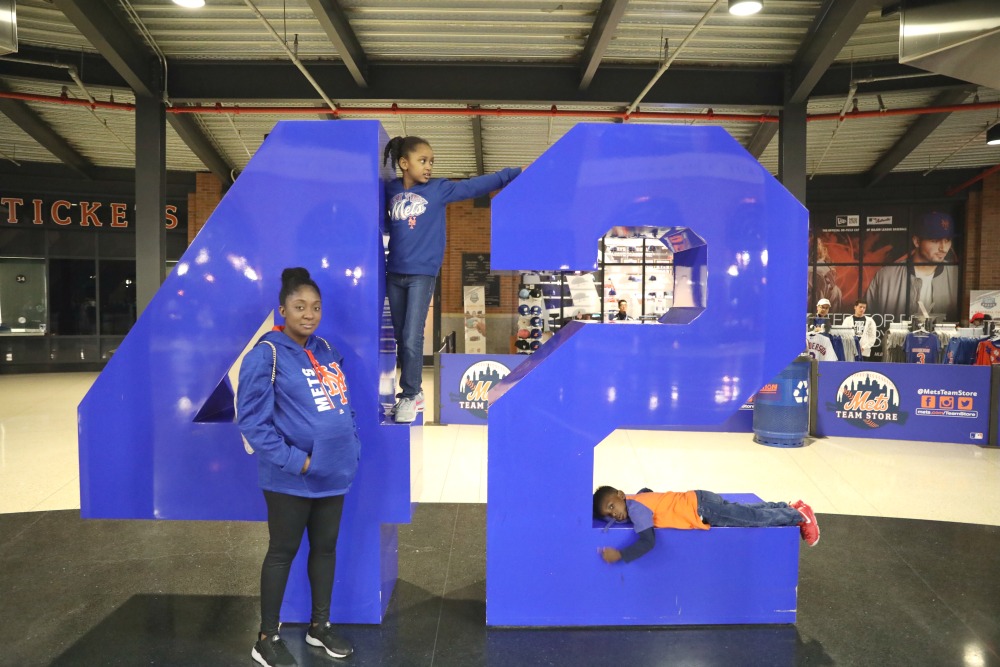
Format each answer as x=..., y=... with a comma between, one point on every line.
x=938, y=403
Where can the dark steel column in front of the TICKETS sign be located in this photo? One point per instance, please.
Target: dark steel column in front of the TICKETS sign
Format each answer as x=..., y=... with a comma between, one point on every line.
x=150, y=198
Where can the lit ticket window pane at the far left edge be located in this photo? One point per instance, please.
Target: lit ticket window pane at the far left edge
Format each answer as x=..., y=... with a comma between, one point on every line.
x=22, y=296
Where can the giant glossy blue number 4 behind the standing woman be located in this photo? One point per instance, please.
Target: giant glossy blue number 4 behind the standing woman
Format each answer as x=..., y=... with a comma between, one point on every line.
x=157, y=438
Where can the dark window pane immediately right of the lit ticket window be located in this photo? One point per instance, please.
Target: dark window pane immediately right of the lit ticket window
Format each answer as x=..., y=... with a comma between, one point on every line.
x=73, y=297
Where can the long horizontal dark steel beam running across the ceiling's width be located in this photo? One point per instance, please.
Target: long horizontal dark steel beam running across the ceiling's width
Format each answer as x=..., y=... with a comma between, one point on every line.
x=471, y=83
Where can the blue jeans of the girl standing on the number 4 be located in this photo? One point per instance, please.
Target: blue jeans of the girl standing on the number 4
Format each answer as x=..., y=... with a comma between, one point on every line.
x=409, y=299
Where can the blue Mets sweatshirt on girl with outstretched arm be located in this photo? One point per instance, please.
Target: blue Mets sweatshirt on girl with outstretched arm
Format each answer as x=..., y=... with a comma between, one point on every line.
x=417, y=221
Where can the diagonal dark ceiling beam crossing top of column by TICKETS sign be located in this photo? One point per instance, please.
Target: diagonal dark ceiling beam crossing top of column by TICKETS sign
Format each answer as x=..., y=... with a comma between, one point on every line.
x=116, y=41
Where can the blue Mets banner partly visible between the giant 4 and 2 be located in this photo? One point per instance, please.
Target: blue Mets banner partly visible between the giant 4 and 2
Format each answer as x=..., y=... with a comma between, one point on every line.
x=465, y=384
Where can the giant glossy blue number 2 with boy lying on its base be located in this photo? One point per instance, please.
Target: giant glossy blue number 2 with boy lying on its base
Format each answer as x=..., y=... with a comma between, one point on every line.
x=739, y=244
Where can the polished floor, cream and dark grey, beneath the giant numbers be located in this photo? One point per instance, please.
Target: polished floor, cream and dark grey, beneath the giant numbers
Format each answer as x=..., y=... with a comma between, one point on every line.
x=907, y=572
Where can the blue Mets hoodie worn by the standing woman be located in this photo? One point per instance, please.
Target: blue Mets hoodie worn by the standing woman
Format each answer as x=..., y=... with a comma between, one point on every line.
x=305, y=410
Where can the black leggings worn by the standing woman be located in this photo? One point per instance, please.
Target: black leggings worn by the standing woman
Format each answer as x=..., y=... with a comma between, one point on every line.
x=287, y=518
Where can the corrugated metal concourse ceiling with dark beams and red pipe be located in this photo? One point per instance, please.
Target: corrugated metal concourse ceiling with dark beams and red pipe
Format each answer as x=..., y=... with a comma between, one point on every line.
x=490, y=83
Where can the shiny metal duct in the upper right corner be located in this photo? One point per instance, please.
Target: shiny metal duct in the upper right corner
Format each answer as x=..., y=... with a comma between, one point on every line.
x=957, y=38
